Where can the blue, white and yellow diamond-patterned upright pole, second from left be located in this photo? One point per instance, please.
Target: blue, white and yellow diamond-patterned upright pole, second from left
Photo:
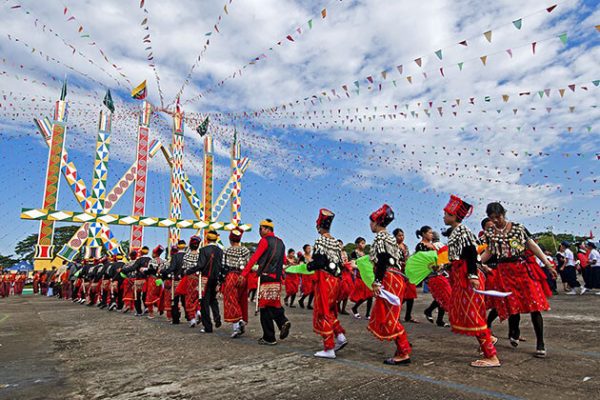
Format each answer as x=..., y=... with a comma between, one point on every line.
x=98, y=195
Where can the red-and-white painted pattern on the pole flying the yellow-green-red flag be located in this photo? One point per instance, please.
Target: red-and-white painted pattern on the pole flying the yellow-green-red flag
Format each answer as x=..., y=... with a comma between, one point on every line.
x=139, y=195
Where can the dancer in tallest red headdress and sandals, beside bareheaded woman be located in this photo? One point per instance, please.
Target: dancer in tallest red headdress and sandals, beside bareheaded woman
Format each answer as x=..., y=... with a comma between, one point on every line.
x=467, y=312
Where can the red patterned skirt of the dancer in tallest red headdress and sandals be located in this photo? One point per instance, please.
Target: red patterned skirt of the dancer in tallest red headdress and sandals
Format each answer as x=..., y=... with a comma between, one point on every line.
x=467, y=310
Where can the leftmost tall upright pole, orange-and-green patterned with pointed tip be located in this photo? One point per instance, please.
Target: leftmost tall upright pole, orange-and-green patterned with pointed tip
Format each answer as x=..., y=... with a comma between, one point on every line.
x=44, y=250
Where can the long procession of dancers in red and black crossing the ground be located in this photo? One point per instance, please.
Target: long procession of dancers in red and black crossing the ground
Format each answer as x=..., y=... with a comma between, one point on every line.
x=503, y=258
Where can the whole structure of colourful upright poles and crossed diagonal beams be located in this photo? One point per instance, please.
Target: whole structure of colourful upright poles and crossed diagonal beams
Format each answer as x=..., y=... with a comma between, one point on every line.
x=97, y=203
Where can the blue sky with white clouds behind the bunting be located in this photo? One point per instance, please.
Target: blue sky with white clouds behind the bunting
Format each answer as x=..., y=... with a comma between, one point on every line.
x=401, y=102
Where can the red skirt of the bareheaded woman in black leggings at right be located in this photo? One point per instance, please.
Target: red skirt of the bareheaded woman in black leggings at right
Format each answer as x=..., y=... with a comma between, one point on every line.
x=524, y=279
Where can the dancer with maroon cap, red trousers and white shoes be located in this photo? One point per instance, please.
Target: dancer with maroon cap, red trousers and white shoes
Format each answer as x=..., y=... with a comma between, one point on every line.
x=327, y=264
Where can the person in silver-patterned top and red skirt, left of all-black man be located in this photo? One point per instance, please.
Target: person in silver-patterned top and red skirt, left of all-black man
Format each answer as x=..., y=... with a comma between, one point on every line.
x=188, y=286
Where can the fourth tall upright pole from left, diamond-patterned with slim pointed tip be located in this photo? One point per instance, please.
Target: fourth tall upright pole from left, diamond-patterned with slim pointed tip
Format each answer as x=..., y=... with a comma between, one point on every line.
x=176, y=173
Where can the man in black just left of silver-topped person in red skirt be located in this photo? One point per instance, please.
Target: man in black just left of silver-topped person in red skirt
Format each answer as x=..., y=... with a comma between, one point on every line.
x=172, y=276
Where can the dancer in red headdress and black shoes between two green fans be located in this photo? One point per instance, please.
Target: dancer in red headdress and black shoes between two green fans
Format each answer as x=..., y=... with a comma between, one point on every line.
x=384, y=323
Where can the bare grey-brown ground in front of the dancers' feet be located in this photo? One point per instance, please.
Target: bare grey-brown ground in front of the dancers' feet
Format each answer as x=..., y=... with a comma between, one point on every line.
x=53, y=349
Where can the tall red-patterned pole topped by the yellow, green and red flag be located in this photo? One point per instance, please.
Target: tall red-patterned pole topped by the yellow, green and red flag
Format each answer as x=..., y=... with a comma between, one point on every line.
x=141, y=161
